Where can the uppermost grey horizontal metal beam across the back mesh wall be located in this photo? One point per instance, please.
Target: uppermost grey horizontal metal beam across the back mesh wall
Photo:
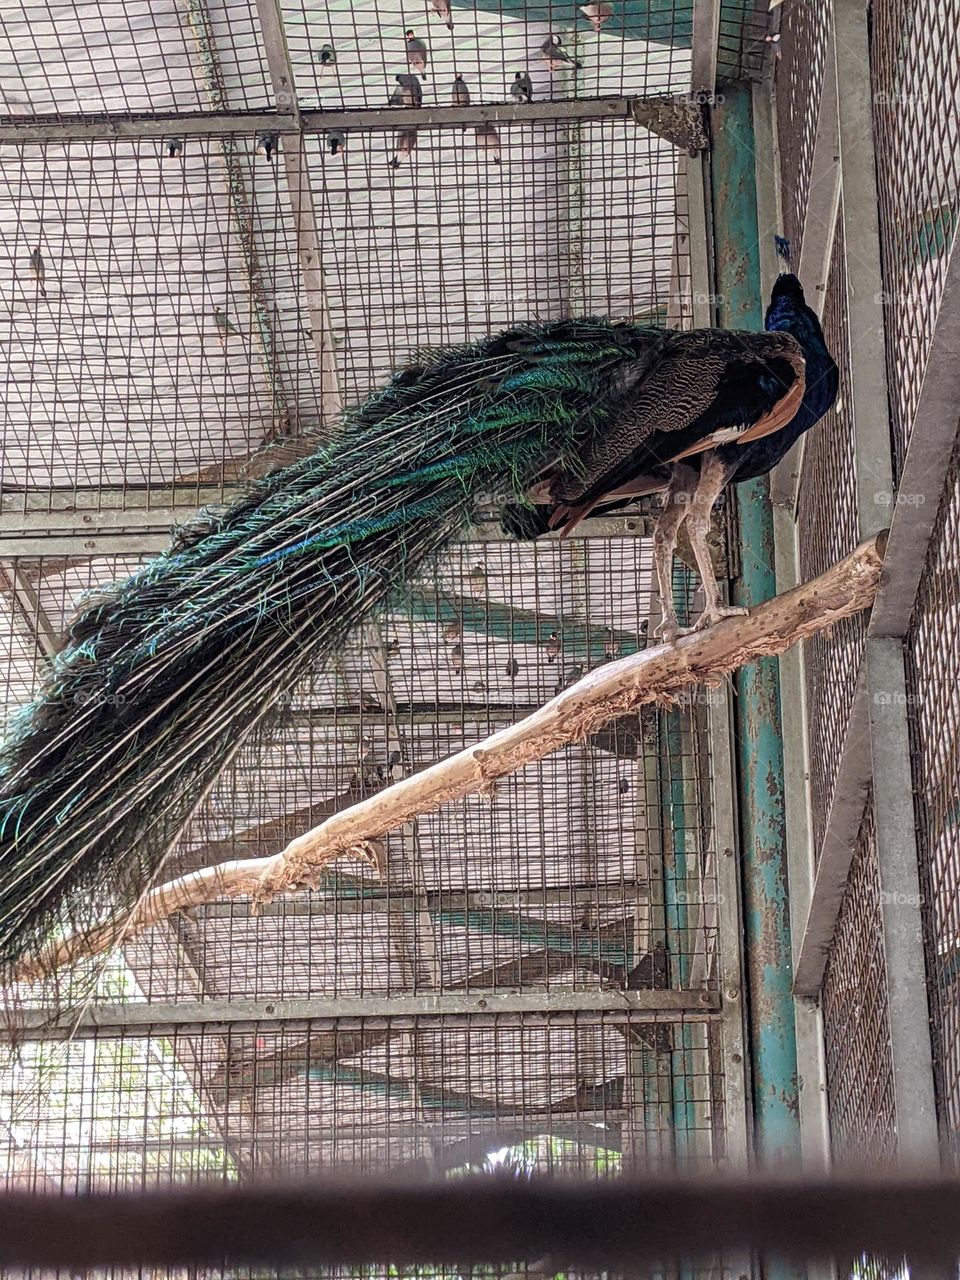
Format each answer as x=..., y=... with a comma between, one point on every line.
x=648, y=112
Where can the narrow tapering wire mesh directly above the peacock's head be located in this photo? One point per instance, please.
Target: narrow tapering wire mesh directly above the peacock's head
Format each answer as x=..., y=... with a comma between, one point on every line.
x=801, y=71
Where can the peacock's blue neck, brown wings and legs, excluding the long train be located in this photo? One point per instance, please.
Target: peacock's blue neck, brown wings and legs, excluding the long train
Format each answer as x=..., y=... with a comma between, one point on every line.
x=732, y=422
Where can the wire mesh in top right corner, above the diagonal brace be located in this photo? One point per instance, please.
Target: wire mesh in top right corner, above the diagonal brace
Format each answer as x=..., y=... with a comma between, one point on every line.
x=916, y=85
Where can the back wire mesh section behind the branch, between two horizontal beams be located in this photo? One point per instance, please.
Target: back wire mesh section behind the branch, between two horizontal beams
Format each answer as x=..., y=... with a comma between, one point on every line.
x=593, y=870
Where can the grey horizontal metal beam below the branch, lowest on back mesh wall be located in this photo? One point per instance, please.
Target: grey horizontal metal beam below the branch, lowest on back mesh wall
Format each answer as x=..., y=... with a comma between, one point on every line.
x=221, y=1016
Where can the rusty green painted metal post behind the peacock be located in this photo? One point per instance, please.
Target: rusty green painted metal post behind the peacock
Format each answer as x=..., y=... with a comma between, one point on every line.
x=760, y=747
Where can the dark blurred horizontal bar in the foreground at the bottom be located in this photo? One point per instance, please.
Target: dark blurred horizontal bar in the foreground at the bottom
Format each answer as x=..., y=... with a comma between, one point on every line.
x=616, y=1224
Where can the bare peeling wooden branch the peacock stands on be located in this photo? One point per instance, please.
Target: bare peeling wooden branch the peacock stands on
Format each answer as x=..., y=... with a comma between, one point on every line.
x=657, y=675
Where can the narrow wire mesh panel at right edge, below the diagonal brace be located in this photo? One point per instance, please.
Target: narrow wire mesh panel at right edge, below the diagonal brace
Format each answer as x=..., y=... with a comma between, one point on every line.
x=934, y=669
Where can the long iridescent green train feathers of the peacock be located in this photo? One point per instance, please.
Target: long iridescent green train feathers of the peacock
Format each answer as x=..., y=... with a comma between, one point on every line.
x=164, y=676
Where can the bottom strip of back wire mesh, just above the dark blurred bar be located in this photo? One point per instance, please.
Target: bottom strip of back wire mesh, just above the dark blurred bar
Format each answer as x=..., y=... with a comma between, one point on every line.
x=569, y=1095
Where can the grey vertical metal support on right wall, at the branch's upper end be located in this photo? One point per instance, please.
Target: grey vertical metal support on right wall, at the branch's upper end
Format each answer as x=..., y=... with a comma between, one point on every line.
x=884, y=659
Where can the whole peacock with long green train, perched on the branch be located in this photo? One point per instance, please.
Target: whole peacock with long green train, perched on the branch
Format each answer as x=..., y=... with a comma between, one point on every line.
x=163, y=678
